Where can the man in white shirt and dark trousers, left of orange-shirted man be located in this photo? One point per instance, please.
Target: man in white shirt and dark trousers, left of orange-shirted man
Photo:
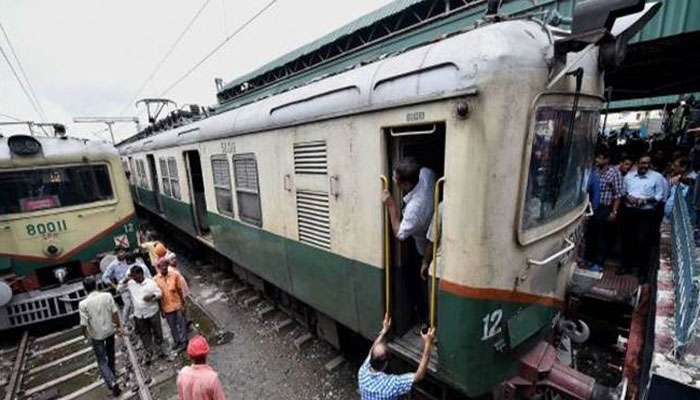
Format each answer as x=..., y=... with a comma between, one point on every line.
x=145, y=295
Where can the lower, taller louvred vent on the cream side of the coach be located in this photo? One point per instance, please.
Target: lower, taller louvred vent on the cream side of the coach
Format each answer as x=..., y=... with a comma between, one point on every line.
x=313, y=218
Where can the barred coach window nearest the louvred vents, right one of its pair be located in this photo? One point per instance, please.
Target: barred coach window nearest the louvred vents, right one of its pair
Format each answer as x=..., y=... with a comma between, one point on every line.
x=245, y=170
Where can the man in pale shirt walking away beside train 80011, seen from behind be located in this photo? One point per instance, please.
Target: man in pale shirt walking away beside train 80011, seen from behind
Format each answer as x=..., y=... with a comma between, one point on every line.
x=100, y=322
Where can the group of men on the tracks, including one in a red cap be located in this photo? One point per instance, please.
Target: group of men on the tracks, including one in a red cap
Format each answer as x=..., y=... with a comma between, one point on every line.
x=147, y=298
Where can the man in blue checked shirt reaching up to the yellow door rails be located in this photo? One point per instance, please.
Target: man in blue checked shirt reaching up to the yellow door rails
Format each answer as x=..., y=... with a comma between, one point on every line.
x=375, y=384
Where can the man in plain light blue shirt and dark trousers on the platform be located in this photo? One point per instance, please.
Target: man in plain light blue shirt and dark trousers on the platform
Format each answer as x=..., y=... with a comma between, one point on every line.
x=644, y=190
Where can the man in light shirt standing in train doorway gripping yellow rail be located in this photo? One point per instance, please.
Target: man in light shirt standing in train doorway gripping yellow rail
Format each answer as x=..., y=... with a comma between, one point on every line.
x=418, y=184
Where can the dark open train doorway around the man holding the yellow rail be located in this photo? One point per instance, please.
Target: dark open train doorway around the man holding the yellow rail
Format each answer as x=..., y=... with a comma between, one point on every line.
x=426, y=144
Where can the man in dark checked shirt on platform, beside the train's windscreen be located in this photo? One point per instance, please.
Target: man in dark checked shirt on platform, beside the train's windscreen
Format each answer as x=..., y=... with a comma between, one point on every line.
x=611, y=187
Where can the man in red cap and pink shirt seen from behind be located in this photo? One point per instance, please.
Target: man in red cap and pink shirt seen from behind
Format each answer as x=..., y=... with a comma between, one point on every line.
x=199, y=381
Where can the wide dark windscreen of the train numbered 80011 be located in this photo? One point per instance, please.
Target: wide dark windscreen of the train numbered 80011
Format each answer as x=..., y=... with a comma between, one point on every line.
x=45, y=188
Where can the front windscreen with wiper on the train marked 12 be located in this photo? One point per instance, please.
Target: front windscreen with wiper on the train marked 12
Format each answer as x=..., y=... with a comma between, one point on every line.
x=559, y=164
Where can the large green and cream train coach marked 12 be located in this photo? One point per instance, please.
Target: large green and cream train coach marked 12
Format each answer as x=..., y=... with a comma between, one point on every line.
x=289, y=187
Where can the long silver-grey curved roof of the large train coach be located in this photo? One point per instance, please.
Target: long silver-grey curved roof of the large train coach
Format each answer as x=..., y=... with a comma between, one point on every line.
x=445, y=68
